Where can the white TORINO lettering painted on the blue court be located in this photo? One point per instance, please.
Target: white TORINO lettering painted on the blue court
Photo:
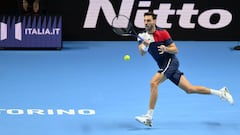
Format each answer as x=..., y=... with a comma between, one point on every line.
x=47, y=112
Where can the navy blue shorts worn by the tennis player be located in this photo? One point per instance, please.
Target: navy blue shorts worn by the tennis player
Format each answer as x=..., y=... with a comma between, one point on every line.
x=171, y=71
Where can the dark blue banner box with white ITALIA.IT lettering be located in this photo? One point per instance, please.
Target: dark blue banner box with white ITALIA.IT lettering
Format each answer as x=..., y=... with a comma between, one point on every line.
x=33, y=32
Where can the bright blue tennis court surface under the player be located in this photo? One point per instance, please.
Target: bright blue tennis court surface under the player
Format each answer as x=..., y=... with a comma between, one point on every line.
x=88, y=89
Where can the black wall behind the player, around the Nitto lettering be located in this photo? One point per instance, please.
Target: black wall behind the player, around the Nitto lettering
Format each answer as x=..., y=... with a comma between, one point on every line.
x=74, y=14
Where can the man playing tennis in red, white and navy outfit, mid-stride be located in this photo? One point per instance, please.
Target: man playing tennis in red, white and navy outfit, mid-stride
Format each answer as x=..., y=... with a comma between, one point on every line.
x=158, y=43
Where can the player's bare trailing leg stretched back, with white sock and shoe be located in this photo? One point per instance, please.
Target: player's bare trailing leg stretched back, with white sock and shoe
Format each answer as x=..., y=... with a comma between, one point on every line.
x=189, y=88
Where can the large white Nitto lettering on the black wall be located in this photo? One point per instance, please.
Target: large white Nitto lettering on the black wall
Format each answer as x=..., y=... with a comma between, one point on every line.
x=164, y=11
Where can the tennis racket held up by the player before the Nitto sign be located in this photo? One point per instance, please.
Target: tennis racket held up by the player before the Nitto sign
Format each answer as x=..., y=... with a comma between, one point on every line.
x=122, y=26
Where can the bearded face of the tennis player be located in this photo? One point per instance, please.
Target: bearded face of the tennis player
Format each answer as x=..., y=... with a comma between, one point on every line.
x=149, y=23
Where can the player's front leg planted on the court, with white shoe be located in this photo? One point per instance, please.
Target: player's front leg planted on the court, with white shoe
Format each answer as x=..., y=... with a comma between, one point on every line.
x=154, y=83
